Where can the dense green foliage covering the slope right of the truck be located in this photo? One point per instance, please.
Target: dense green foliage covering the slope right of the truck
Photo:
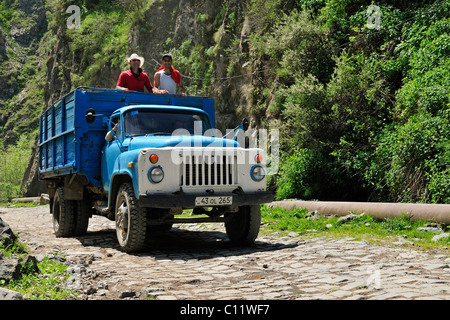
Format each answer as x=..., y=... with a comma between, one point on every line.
x=366, y=107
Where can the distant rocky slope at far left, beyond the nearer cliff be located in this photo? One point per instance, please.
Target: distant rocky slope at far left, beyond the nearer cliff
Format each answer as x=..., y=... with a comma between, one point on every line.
x=21, y=60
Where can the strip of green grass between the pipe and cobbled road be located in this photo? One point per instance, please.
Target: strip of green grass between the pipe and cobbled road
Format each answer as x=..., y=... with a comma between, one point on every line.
x=363, y=227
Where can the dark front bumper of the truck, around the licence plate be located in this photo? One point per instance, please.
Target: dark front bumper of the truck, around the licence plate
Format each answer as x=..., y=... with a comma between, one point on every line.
x=188, y=200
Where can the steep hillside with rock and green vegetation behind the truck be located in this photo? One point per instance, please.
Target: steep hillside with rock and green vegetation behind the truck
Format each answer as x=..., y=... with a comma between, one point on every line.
x=359, y=93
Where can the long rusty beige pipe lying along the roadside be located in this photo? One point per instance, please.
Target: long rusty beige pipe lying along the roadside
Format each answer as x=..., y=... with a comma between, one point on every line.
x=379, y=210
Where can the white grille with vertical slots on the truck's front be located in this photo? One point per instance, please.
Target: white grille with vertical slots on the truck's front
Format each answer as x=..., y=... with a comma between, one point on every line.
x=212, y=169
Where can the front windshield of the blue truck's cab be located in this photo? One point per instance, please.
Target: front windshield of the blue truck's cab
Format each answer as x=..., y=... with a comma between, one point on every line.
x=140, y=122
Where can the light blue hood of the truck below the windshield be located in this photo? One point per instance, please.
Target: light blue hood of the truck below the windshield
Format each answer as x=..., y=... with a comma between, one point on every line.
x=142, y=142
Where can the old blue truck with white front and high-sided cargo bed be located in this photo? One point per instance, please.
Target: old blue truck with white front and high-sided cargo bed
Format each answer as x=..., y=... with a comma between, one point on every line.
x=140, y=159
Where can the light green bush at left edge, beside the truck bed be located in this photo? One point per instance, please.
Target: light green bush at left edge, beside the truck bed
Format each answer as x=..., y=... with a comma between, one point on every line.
x=13, y=162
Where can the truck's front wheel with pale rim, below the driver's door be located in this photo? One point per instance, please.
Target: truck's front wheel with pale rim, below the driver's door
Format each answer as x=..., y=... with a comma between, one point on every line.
x=130, y=220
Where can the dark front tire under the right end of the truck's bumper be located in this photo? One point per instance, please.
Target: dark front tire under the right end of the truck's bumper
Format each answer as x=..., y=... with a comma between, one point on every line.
x=243, y=228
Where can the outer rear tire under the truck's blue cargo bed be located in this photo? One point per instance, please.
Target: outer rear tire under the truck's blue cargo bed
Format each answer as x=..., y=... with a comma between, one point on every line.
x=63, y=215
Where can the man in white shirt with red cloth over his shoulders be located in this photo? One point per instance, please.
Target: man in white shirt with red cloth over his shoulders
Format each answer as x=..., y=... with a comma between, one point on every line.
x=167, y=77
